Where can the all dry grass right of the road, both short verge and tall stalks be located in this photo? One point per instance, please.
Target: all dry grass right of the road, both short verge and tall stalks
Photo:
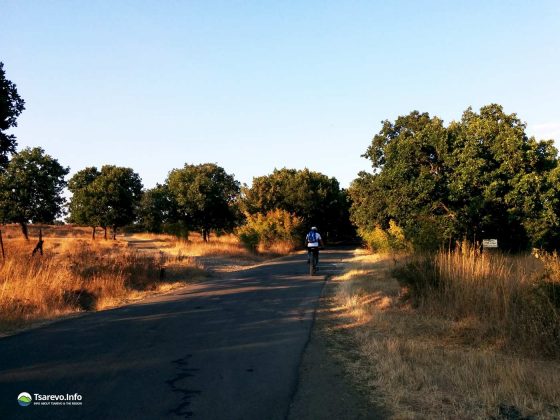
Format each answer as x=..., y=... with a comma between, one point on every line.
x=419, y=362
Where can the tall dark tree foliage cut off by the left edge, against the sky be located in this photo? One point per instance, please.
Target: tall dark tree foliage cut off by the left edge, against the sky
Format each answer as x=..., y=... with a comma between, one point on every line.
x=11, y=106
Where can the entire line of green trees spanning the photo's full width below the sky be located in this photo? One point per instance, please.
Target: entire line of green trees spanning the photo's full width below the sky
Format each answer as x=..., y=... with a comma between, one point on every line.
x=431, y=185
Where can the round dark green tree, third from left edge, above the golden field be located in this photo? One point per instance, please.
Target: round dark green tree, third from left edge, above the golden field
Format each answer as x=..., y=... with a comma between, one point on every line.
x=106, y=198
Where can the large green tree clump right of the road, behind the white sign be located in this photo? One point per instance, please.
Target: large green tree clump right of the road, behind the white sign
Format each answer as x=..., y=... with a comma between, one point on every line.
x=478, y=177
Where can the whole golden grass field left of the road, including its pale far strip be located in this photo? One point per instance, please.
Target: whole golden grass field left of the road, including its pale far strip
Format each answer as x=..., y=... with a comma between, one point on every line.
x=76, y=273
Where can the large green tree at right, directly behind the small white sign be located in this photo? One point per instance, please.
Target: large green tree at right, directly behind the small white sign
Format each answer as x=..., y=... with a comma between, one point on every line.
x=493, y=161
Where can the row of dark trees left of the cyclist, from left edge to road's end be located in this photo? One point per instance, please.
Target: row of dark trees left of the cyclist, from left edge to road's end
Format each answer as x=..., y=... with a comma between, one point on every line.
x=202, y=198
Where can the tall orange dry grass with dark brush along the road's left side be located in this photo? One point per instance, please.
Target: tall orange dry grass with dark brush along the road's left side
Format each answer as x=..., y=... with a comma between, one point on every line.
x=76, y=275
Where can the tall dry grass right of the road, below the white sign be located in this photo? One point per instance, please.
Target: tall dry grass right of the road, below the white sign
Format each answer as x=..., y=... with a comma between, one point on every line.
x=509, y=301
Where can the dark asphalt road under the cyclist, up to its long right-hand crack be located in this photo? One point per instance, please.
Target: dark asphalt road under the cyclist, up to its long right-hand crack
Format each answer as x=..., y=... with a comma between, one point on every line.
x=228, y=348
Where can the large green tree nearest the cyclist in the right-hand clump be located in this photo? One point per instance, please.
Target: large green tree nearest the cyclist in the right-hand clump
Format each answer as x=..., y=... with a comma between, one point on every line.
x=409, y=185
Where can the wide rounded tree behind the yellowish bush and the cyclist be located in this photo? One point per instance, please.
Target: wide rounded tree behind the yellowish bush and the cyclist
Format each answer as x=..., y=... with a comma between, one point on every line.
x=313, y=196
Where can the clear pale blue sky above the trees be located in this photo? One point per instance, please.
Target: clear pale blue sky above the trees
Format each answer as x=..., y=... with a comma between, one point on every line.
x=254, y=85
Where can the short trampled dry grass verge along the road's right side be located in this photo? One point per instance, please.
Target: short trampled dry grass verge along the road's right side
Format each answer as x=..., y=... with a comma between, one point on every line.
x=421, y=365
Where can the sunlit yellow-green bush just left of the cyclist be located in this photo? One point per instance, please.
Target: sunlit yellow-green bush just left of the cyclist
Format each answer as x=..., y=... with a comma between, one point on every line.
x=277, y=229
